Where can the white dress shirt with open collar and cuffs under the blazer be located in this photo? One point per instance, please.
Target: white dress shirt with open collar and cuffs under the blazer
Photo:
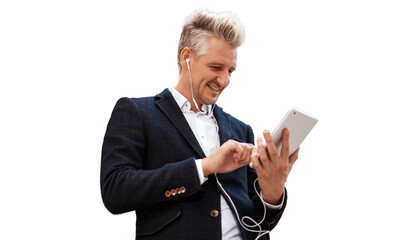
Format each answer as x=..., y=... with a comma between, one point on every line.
x=206, y=130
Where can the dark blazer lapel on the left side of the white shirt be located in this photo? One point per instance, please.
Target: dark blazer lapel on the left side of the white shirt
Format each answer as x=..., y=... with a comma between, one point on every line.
x=169, y=107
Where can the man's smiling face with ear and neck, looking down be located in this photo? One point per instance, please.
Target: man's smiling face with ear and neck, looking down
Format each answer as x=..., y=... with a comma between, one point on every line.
x=210, y=72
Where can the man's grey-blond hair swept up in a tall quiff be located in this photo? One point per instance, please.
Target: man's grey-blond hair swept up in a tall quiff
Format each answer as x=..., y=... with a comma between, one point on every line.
x=203, y=24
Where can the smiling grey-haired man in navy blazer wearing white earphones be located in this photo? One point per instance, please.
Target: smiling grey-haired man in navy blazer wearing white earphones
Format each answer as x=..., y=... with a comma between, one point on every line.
x=181, y=162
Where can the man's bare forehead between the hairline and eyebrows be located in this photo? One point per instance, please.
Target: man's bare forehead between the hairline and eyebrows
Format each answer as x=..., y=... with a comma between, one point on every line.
x=220, y=52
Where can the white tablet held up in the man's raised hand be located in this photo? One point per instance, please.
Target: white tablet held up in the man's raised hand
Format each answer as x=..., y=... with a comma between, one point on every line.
x=299, y=124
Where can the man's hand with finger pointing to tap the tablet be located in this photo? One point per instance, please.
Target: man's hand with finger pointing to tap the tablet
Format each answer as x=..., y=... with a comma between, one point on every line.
x=230, y=156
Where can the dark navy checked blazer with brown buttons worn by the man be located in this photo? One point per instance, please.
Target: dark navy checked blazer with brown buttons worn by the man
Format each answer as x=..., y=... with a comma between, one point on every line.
x=148, y=166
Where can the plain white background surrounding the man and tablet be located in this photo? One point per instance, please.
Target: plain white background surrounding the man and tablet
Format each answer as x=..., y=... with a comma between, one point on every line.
x=64, y=64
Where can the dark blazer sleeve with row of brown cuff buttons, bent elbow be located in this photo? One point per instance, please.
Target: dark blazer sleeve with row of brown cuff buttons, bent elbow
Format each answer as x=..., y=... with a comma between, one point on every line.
x=125, y=185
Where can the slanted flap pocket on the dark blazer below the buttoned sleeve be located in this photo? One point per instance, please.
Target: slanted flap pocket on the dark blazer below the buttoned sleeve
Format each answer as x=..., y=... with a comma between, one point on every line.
x=151, y=222
